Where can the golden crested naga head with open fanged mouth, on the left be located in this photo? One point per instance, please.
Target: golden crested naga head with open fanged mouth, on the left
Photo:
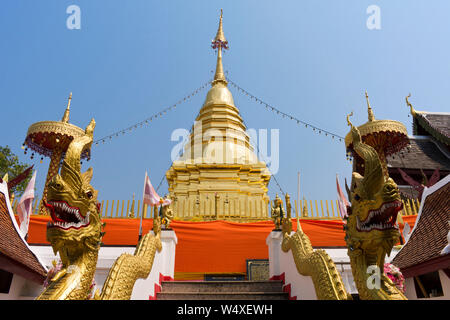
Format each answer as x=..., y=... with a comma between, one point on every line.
x=72, y=202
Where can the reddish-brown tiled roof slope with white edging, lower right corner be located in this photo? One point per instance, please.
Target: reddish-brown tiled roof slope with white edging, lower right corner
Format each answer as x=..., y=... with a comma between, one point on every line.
x=429, y=235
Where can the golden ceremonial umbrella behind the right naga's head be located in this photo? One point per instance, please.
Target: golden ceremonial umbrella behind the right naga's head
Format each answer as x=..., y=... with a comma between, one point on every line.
x=387, y=137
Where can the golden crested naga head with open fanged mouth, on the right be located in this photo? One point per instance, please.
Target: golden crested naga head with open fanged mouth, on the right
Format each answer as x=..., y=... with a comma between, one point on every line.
x=375, y=203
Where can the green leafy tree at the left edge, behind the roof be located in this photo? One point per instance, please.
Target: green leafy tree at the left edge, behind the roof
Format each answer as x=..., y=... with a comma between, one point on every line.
x=9, y=163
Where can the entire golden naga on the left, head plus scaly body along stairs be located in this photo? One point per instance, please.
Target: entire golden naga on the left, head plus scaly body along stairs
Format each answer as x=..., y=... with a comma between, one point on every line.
x=76, y=232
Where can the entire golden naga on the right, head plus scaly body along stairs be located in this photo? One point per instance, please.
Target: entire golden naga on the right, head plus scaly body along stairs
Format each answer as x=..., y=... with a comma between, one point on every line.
x=371, y=232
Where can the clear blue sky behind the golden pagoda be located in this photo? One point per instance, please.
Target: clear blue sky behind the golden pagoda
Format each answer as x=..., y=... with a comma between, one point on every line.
x=130, y=59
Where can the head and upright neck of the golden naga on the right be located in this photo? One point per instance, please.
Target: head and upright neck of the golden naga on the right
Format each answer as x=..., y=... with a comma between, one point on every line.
x=371, y=228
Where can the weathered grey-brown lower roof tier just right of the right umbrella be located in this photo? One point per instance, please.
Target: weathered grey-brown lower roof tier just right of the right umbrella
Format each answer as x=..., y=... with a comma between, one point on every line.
x=424, y=154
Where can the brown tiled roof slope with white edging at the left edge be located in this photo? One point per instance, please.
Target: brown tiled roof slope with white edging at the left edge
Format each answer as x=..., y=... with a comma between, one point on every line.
x=15, y=255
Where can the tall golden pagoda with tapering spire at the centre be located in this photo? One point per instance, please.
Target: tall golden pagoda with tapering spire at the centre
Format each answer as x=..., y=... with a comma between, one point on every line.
x=219, y=176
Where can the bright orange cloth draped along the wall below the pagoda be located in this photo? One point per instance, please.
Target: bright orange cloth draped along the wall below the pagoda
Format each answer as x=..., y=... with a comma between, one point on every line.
x=211, y=247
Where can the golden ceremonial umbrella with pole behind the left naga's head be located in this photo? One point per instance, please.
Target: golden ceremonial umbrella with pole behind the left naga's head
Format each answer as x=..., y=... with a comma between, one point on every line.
x=51, y=139
